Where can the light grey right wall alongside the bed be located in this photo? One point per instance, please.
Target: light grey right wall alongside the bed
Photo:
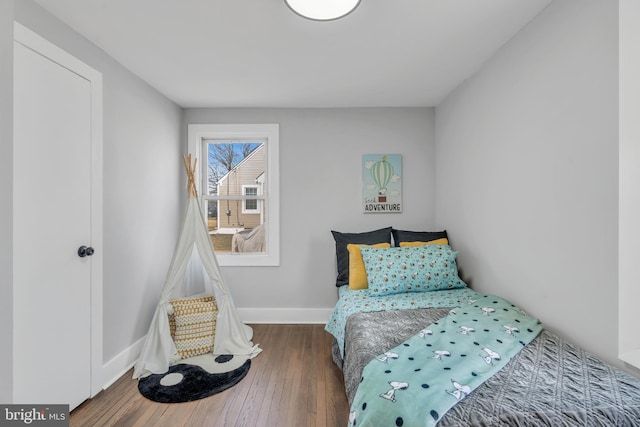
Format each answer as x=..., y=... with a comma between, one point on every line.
x=527, y=172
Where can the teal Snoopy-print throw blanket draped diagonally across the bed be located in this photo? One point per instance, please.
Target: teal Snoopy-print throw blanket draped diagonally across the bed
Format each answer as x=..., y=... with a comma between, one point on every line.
x=417, y=382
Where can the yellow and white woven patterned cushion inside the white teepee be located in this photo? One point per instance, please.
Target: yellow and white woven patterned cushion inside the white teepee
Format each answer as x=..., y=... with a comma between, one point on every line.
x=195, y=325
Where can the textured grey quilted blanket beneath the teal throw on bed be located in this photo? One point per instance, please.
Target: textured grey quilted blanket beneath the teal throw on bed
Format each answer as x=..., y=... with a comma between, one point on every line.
x=549, y=383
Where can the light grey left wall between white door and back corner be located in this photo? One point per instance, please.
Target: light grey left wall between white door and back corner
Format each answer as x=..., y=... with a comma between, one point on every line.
x=142, y=176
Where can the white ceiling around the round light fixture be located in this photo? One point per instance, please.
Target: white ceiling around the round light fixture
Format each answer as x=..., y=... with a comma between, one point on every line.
x=258, y=53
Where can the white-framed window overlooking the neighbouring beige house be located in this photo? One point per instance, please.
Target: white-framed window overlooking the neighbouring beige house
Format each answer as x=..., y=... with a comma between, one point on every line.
x=238, y=170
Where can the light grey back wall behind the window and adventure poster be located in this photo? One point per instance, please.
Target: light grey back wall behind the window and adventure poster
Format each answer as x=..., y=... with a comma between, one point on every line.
x=320, y=190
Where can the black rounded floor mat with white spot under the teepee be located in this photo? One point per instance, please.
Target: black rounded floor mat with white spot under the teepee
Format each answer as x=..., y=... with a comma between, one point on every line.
x=196, y=383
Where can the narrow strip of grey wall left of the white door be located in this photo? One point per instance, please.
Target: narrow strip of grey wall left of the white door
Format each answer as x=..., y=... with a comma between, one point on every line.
x=6, y=195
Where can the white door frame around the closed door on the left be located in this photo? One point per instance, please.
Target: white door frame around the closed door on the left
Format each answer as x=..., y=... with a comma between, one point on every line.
x=40, y=45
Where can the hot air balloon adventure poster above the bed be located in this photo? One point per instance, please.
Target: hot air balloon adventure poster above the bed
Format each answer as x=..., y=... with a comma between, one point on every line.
x=382, y=183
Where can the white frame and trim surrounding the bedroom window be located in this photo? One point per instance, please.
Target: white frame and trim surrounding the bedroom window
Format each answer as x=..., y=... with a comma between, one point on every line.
x=198, y=134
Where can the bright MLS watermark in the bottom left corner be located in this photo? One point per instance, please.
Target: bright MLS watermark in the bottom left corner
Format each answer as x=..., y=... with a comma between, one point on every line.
x=34, y=415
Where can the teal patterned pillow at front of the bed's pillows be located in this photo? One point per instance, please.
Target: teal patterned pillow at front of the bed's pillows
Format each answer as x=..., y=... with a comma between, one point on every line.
x=411, y=269
